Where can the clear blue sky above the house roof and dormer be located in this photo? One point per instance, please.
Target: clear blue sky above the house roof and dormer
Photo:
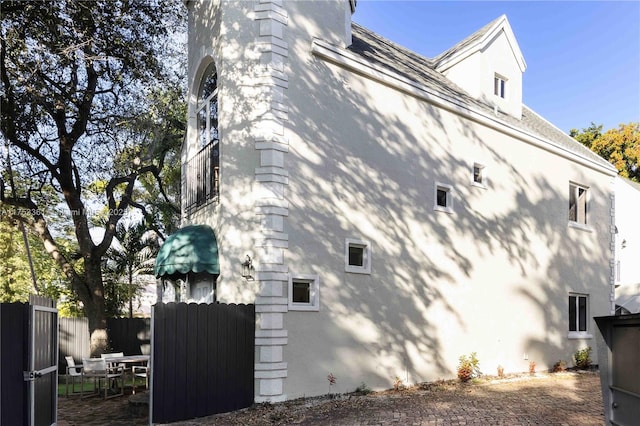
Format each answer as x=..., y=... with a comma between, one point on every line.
x=583, y=57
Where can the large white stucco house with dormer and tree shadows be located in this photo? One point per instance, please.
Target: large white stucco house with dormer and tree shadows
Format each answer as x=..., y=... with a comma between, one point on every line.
x=386, y=212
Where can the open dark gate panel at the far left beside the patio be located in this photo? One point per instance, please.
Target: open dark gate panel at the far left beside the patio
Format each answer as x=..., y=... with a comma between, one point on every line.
x=29, y=367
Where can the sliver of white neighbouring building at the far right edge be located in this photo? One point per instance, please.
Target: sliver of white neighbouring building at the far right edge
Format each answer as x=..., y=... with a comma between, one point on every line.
x=627, y=246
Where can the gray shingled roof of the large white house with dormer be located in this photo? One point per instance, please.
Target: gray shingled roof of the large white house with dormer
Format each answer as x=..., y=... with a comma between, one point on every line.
x=412, y=66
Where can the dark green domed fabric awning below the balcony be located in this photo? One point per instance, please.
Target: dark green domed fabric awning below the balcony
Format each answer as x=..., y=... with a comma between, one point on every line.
x=191, y=249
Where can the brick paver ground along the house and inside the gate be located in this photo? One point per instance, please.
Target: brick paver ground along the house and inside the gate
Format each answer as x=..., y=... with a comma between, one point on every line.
x=554, y=399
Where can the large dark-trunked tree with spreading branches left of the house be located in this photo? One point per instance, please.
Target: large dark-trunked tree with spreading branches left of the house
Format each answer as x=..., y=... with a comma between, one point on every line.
x=74, y=102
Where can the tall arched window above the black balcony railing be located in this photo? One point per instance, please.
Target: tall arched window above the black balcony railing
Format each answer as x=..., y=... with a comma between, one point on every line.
x=207, y=108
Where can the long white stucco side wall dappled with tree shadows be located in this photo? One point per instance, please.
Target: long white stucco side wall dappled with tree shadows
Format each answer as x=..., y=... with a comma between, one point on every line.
x=493, y=277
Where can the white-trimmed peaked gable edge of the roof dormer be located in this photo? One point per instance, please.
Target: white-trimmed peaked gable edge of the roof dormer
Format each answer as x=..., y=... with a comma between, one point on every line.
x=480, y=41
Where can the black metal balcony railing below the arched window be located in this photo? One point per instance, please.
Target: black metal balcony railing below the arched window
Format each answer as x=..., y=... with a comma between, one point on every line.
x=203, y=177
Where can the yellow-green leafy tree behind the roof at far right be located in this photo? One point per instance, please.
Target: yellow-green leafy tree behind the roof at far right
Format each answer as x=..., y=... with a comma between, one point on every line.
x=621, y=146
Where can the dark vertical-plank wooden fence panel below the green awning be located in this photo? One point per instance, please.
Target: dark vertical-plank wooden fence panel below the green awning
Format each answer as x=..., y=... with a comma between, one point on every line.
x=202, y=360
